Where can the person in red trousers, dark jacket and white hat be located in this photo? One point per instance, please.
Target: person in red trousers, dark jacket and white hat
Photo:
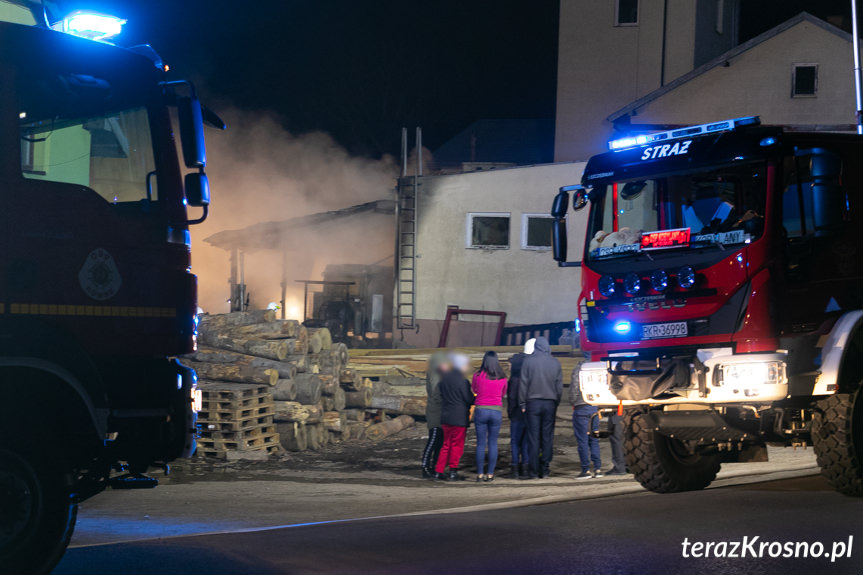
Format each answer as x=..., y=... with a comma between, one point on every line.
x=456, y=400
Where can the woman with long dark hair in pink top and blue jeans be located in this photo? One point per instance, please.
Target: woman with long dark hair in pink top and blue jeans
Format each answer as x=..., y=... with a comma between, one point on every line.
x=489, y=385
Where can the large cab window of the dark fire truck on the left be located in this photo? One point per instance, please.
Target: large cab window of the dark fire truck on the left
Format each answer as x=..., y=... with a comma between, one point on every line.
x=80, y=133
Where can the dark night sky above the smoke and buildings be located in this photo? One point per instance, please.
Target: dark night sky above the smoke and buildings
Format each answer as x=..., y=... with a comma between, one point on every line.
x=360, y=70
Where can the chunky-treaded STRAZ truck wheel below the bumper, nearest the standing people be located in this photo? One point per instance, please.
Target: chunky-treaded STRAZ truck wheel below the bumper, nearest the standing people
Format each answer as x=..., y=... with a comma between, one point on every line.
x=663, y=464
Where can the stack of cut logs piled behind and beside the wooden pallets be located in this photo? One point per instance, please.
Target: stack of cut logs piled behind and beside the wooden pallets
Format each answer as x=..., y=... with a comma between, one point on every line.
x=317, y=399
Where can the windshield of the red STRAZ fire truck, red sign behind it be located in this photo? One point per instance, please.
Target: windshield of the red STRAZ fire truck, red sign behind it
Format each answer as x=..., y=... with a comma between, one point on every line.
x=708, y=209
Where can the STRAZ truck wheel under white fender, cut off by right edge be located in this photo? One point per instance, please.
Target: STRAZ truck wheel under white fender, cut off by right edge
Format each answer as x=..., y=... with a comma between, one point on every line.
x=837, y=437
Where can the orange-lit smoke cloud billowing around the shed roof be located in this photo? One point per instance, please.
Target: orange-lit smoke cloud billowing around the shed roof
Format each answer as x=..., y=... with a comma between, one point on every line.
x=259, y=172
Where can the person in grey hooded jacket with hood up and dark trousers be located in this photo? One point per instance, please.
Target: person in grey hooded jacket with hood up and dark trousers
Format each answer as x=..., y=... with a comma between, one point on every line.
x=539, y=395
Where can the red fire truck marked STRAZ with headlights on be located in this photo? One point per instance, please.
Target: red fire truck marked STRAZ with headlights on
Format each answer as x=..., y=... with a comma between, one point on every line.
x=722, y=297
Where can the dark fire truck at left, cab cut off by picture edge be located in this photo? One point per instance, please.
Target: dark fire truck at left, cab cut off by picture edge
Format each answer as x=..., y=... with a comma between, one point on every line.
x=96, y=291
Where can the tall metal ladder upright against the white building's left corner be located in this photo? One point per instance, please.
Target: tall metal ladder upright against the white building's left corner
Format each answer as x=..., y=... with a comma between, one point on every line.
x=406, y=238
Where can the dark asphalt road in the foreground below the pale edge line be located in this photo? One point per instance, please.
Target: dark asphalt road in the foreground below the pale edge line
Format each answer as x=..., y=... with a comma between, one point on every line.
x=635, y=533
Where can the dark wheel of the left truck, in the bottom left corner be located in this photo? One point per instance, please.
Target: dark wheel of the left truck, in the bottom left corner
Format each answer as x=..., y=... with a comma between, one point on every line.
x=37, y=514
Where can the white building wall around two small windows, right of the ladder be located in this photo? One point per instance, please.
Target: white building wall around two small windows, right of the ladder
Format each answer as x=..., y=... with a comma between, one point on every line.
x=526, y=284
